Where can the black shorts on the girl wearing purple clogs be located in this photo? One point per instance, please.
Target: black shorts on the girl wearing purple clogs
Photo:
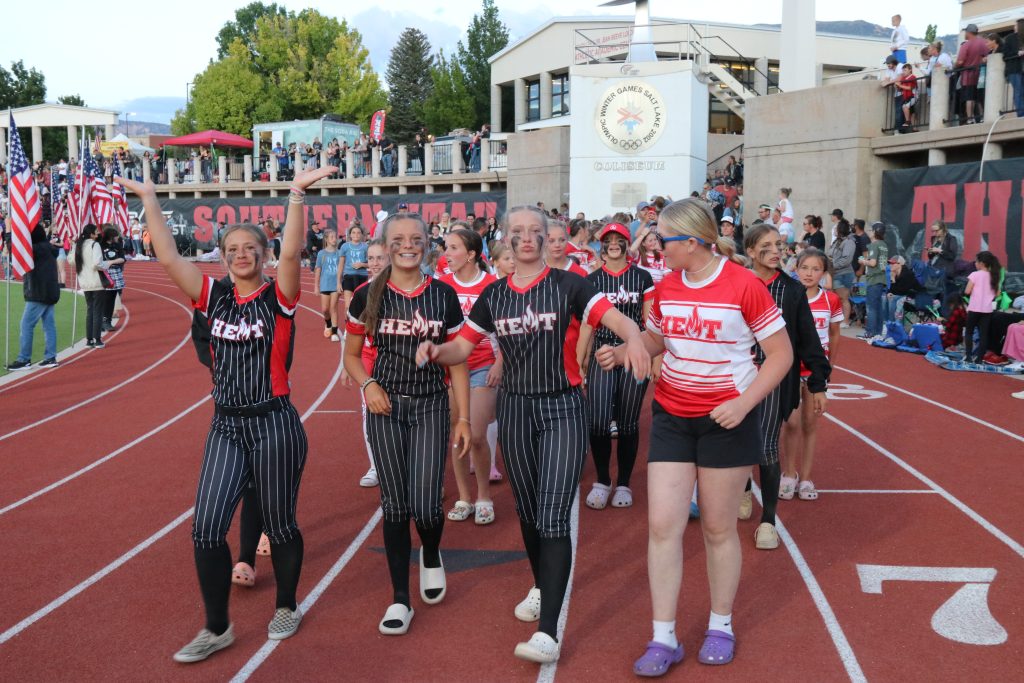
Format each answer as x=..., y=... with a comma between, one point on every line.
x=703, y=442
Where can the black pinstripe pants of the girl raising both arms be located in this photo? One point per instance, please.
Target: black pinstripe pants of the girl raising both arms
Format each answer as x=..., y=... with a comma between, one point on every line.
x=270, y=450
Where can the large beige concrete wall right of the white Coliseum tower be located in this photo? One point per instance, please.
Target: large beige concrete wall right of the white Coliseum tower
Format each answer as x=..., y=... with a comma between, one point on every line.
x=828, y=160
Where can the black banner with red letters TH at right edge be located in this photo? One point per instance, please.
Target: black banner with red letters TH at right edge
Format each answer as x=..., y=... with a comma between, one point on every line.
x=986, y=215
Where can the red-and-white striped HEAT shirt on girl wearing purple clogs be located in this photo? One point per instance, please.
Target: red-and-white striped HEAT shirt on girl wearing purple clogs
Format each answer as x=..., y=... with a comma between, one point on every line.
x=709, y=332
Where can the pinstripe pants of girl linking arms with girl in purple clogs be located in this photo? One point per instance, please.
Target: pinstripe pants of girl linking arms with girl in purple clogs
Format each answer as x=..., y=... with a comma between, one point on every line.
x=544, y=443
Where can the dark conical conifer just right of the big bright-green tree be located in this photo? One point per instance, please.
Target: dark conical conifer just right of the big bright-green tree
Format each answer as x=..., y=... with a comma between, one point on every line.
x=410, y=84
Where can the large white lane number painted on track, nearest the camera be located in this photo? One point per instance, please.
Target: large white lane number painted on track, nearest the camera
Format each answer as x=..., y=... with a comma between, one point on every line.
x=965, y=618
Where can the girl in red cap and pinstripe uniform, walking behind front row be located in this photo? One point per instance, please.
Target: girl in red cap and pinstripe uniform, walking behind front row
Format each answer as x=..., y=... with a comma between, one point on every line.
x=615, y=396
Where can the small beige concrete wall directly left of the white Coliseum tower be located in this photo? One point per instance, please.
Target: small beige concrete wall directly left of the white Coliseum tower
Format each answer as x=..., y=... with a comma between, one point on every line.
x=539, y=167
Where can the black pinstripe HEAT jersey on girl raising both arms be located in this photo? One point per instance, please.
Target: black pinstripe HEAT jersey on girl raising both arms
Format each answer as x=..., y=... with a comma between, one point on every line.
x=250, y=341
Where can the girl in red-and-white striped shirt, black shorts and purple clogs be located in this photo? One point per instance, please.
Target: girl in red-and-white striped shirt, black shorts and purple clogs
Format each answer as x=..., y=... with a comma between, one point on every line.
x=708, y=314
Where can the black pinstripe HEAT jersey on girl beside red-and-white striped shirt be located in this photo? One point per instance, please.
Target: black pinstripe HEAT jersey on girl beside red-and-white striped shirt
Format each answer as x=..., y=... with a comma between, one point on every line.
x=538, y=328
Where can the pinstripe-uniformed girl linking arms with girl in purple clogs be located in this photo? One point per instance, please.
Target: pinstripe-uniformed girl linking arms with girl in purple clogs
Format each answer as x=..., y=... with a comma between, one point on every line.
x=542, y=417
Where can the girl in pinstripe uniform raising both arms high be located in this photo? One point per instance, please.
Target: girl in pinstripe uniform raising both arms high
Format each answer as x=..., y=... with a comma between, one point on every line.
x=257, y=434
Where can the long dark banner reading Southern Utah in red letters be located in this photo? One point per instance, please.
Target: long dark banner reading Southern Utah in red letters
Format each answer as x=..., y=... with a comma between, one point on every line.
x=196, y=220
